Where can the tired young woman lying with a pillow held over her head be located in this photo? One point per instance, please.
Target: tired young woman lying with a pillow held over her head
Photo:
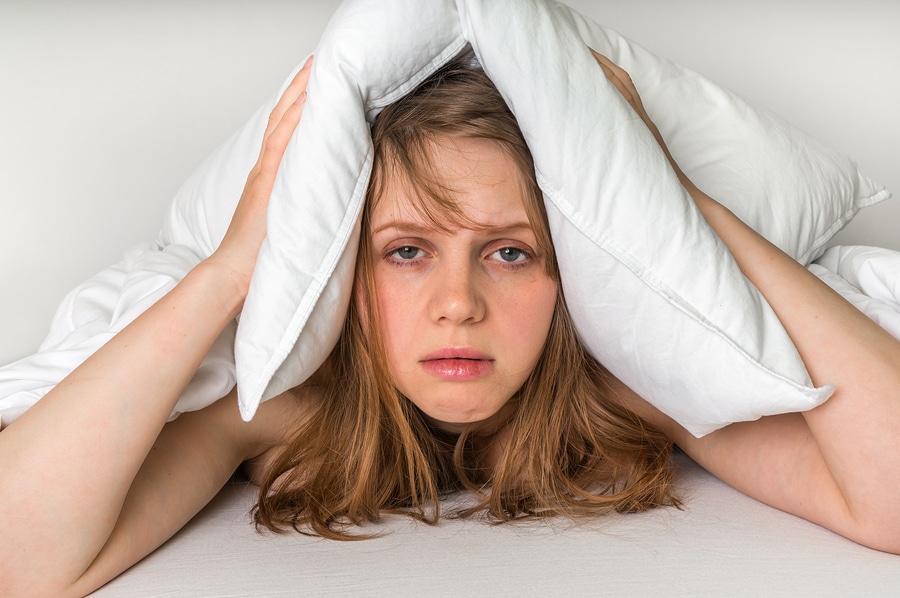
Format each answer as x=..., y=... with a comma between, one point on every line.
x=458, y=367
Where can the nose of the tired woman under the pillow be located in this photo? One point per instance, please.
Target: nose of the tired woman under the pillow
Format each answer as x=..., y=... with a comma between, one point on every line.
x=457, y=295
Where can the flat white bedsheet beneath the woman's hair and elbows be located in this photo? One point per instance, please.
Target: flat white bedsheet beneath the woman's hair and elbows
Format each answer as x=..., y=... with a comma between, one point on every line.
x=722, y=544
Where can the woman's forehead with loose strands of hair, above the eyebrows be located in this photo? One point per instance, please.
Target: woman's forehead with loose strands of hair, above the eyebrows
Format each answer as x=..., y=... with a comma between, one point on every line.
x=473, y=183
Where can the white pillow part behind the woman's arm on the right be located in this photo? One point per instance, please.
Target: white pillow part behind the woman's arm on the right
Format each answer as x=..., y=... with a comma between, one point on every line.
x=786, y=185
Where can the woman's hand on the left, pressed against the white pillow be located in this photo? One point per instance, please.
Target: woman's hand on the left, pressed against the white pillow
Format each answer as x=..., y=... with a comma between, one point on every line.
x=240, y=246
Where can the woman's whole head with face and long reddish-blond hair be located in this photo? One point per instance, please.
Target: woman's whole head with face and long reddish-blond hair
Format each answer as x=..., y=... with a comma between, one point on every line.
x=457, y=306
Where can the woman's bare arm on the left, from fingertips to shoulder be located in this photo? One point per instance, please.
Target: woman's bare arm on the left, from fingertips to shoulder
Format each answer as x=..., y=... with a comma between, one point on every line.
x=90, y=481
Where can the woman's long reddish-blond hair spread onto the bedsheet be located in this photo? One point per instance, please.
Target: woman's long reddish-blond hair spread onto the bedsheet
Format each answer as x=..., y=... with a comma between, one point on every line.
x=569, y=449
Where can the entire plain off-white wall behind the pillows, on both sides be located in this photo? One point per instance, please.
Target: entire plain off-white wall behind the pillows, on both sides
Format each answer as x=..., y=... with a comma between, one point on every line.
x=106, y=107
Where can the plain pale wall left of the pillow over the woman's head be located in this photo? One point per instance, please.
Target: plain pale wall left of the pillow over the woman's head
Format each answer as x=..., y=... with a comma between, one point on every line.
x=105, y=108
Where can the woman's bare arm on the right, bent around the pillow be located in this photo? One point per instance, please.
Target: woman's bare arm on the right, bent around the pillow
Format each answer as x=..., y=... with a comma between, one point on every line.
x=837, y=464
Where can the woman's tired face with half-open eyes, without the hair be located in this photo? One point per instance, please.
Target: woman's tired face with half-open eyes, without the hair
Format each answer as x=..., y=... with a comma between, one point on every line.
x=464, y=314
